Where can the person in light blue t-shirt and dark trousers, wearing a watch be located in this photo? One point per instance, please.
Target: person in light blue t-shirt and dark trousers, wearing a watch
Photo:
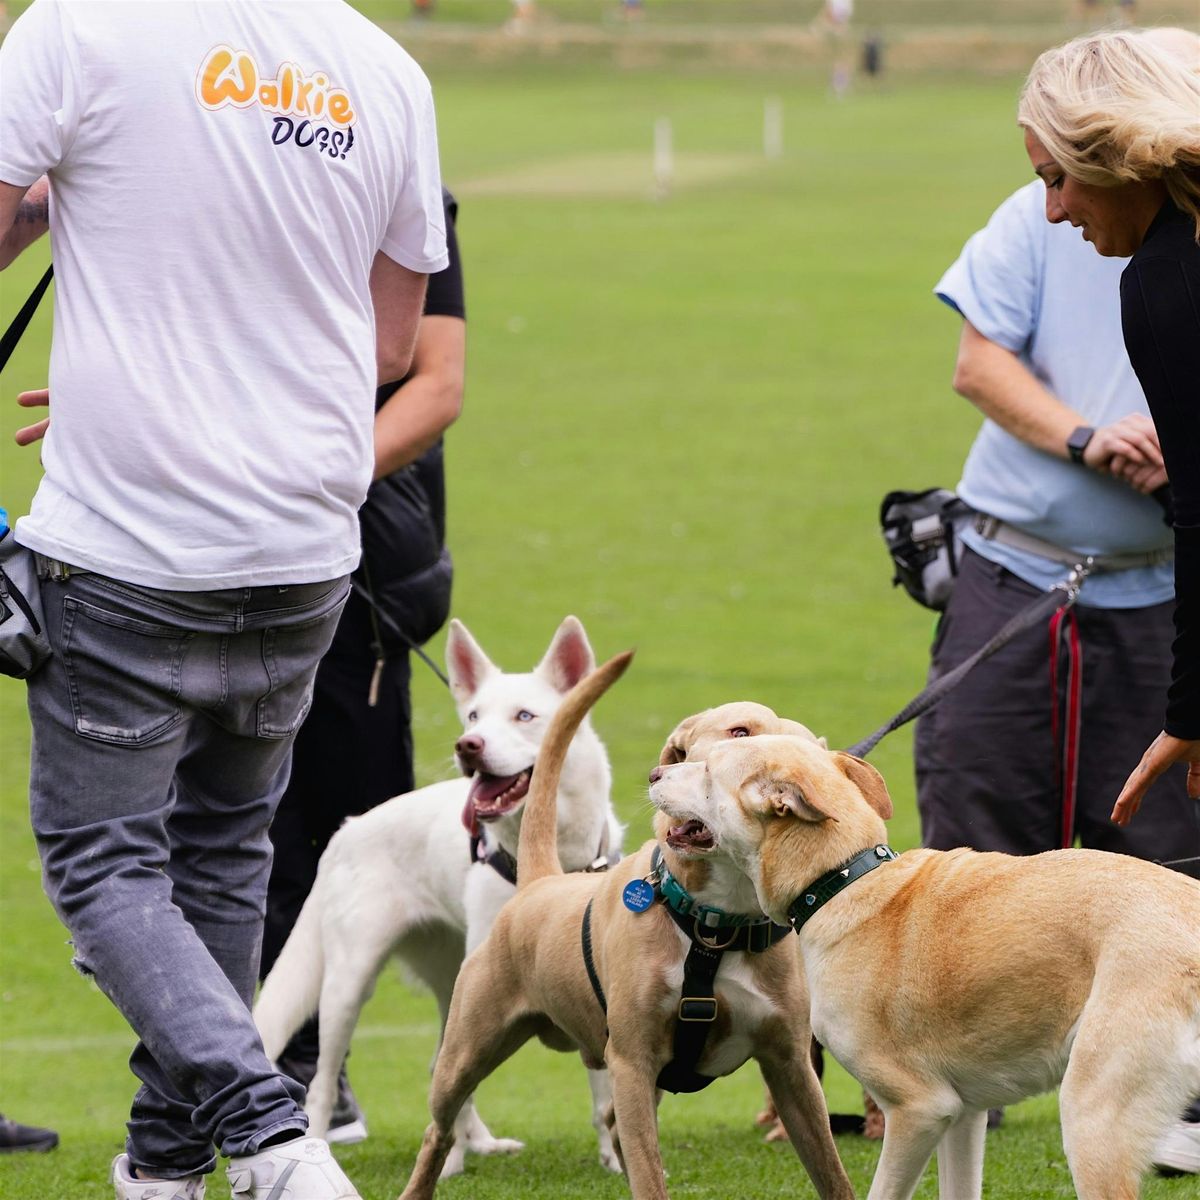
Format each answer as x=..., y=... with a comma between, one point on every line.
x=1034, y=745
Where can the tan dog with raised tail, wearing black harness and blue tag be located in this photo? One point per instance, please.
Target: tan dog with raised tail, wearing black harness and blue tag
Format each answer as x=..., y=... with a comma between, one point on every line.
x=530, y=979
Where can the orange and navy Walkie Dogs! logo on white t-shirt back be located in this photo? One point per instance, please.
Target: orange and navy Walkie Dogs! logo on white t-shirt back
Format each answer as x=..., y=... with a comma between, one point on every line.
x=309, y=111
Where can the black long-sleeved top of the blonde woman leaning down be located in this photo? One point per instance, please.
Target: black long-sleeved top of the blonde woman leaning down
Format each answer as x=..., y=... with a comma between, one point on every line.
x=1161, y=319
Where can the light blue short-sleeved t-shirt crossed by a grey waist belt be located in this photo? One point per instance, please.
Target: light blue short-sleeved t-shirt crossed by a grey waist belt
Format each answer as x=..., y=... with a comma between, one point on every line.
x=1040, y=291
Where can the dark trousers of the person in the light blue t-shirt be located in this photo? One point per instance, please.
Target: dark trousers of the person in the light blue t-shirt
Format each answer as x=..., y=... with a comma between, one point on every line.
x=989, y=767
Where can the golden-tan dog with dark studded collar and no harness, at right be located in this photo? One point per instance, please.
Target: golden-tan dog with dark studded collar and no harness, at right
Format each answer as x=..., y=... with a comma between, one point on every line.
x=995, y=977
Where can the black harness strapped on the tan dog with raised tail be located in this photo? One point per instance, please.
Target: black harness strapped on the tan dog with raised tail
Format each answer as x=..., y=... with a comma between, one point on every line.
x=712, y=933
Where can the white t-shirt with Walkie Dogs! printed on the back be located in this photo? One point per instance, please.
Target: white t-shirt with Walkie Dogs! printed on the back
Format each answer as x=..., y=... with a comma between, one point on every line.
x=223, y=176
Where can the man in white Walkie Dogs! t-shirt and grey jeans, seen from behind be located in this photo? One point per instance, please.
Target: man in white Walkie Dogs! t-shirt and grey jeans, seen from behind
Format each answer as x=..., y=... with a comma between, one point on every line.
x=245, y=203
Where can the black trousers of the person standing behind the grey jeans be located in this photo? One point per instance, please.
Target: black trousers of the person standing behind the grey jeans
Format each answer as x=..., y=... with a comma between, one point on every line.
x=349, y=758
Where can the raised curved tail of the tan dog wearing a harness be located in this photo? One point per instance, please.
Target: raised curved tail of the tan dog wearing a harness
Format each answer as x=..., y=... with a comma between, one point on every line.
x=538, y=849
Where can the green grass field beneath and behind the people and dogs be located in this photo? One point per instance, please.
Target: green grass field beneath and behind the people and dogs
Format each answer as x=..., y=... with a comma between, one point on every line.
x=682, y=415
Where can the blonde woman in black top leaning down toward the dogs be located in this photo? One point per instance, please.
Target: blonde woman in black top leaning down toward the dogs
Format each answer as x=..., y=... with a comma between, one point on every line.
x=1113, y=124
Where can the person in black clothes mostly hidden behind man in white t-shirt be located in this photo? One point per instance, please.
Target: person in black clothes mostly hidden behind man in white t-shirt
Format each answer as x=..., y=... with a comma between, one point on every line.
x=356, y=747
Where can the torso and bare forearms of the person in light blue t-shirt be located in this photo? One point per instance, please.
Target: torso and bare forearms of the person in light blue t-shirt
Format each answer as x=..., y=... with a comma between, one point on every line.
x=1042, y=298
